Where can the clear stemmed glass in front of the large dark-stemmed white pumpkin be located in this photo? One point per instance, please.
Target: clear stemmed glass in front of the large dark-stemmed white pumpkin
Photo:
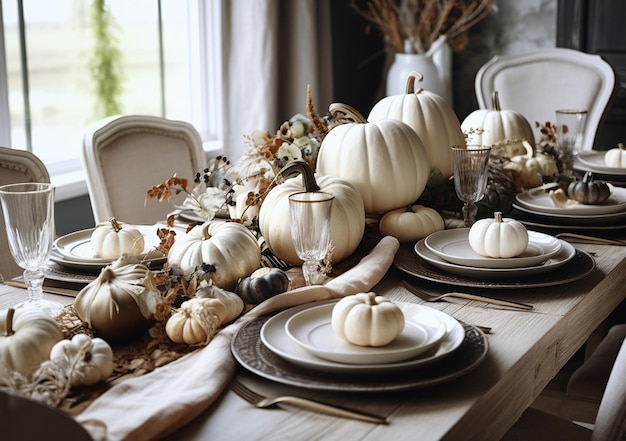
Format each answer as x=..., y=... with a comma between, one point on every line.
x=310, y=228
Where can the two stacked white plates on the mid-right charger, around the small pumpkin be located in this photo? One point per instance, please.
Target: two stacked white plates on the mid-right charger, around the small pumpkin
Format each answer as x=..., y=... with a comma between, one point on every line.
x=449, y=250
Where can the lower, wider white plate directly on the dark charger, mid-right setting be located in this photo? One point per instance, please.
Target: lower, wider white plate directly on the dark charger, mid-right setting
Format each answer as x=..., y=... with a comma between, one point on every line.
x=565, y=254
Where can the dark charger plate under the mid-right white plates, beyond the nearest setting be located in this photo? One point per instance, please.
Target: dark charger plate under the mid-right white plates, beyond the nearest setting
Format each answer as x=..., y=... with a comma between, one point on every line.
x=407, y=261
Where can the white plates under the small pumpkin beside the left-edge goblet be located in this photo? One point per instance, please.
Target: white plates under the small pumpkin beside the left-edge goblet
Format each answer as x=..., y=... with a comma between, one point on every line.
x=75, y=251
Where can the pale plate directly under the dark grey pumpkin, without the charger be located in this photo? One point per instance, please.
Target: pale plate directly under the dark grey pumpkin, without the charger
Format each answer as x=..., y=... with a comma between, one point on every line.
x=539, y=200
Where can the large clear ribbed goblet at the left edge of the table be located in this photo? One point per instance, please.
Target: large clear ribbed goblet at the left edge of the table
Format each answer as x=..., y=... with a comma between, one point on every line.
x=29, y=218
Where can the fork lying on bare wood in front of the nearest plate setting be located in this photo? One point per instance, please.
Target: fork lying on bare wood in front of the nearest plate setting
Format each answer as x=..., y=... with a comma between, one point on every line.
x=262, y=402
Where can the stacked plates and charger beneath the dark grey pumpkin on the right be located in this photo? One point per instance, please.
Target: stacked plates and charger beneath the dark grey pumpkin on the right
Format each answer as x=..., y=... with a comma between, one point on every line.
x=538, y=203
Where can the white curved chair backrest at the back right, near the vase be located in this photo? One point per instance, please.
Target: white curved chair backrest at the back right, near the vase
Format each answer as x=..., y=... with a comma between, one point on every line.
x=537, y=83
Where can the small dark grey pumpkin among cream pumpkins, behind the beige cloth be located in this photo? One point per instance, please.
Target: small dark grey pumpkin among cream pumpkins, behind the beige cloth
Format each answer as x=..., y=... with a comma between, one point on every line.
x=262, y=284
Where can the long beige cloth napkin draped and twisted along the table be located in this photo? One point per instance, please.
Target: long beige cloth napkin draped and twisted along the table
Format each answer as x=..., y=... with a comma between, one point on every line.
x=164, y=400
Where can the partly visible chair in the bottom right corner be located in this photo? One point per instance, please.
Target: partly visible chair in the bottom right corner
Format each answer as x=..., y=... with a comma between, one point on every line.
x=609, y=424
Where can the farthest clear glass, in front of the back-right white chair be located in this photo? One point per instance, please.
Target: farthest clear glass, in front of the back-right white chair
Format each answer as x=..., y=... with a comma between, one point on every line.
x=570, y=133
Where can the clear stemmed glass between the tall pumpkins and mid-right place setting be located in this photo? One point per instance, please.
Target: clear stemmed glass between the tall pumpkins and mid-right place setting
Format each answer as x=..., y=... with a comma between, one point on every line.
x=470, y=177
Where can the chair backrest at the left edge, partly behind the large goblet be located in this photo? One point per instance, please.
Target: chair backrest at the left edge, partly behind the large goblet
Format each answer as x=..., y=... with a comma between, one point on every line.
x=16, y=166
